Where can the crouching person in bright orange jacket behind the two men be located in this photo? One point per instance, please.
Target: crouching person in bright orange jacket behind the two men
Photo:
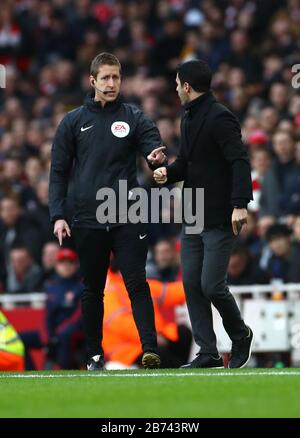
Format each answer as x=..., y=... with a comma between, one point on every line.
x=121, y=341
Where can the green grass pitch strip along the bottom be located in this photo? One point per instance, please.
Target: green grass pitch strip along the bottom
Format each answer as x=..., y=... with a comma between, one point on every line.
x=151, y=394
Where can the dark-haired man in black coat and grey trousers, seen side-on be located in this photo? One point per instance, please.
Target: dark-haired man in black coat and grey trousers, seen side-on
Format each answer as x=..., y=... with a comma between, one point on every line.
x=212, y=157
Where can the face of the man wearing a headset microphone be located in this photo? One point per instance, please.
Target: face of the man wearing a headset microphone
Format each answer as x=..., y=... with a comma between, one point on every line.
x=108, y=80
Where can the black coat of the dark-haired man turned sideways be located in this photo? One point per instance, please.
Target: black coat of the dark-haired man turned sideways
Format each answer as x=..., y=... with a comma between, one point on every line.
x=213, y=157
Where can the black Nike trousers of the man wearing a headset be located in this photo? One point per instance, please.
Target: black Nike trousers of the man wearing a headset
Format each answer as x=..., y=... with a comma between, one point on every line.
x=129, y=246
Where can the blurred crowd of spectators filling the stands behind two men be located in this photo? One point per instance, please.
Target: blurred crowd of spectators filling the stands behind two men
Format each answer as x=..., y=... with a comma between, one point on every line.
x=47, y=46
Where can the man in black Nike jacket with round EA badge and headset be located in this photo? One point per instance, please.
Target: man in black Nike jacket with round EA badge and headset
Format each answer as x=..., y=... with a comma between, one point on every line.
x=102, y=138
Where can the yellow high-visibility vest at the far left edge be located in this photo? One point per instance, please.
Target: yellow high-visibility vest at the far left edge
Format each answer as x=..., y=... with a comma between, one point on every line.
x=10, y=341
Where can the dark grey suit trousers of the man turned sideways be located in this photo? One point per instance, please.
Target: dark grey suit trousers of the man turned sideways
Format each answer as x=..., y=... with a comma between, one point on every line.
x=205, y=259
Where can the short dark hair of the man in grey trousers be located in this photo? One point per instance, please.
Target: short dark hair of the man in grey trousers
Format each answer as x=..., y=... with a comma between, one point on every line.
x=196, y=73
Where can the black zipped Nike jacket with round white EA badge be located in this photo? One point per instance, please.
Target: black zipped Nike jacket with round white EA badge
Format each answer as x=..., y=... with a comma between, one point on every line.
x=102, y=142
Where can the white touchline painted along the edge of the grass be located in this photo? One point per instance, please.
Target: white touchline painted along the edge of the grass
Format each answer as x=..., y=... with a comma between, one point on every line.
x=103, y=374
